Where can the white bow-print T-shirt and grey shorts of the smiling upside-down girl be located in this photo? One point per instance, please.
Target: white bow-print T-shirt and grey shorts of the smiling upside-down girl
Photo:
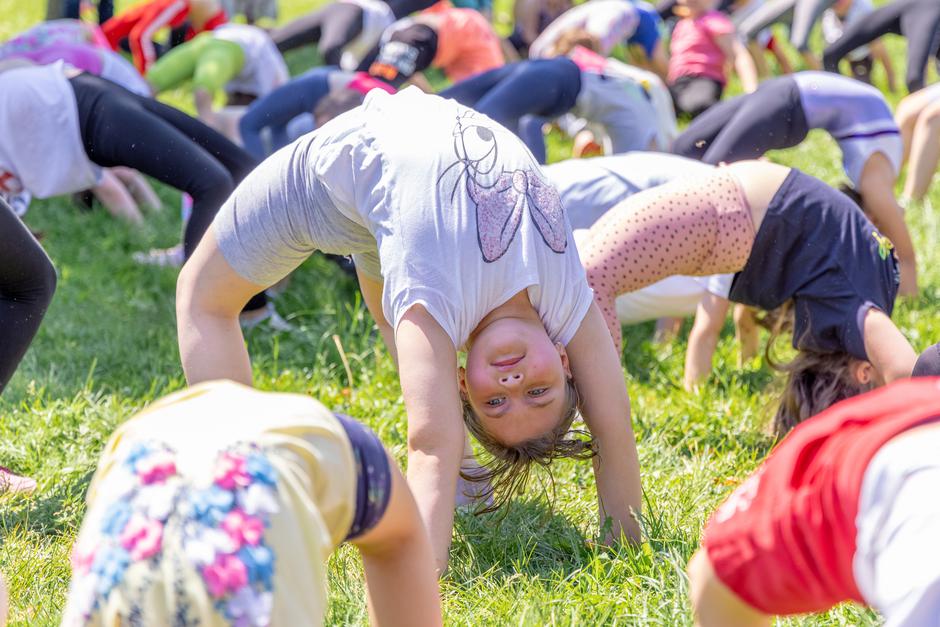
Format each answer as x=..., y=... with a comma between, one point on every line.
x=460, y=225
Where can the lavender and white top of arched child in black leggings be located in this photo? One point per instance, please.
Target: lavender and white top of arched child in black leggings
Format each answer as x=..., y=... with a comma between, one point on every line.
x=855, y=114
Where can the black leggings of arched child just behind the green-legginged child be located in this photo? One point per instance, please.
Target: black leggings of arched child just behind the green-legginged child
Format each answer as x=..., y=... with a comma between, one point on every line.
x=331, y=29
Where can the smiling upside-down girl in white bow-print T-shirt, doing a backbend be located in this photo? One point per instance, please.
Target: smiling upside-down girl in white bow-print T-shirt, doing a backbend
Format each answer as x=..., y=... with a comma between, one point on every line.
x=459, y=245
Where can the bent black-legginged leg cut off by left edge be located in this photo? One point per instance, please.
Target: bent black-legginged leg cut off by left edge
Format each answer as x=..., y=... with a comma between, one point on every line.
x=27, y=282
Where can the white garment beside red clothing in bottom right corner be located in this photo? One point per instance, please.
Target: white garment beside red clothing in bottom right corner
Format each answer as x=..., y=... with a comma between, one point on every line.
x=897, y=559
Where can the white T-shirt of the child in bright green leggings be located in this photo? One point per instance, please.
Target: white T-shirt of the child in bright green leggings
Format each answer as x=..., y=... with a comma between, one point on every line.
x=264, y=68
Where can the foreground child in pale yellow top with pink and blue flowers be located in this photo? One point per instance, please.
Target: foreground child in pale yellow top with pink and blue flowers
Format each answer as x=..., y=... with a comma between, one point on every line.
x=219, y=505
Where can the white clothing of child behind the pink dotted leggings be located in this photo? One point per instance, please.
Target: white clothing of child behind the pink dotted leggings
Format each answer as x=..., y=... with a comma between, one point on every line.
x=590, y=187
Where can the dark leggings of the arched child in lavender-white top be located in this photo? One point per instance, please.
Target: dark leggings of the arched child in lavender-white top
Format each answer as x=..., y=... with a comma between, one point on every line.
x=747, y=126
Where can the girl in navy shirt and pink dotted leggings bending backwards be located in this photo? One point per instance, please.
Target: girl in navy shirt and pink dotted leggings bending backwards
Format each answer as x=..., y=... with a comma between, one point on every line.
x=786, y=236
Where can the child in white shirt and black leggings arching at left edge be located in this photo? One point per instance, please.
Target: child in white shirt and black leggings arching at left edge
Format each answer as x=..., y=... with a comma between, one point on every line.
x=96, y=124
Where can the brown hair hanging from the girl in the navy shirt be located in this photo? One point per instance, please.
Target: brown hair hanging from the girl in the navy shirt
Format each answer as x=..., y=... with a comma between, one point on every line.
x=815, y=380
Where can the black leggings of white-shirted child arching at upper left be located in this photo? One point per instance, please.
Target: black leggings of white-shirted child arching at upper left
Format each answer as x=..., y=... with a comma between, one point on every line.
x=119, y=128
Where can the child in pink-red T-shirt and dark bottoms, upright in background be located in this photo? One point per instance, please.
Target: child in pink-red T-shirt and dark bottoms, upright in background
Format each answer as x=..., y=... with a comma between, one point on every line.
x=702, y=43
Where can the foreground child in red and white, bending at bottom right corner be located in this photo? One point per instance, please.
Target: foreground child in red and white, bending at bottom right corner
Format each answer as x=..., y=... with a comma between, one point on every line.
x=844, y=509
